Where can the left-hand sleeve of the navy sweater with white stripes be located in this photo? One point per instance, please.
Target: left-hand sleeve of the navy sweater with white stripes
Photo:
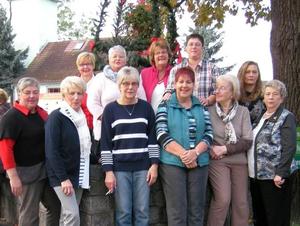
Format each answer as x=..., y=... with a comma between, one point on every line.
x=106, y=140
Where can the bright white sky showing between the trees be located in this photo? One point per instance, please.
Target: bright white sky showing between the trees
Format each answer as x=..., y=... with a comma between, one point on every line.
x=241, y=41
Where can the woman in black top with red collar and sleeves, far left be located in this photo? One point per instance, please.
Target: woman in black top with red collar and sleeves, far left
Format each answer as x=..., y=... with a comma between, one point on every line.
x=22, y=150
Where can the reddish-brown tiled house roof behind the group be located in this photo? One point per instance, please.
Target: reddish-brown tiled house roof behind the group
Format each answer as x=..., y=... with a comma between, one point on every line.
x=56, y=61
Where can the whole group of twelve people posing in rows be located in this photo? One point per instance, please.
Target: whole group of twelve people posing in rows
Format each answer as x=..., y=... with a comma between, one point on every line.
x=187, y=124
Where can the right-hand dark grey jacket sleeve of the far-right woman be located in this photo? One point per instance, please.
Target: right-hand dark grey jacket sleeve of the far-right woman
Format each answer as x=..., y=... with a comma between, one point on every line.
x=288, y=144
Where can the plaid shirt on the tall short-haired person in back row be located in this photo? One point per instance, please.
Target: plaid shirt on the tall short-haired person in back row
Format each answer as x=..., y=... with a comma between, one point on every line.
x=205, y=78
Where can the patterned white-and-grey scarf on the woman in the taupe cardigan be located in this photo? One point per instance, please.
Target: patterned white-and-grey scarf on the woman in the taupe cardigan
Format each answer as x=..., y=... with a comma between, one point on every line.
x=230, y=136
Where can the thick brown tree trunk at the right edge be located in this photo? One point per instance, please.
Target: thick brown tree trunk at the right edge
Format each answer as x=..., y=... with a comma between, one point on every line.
x=285, y=49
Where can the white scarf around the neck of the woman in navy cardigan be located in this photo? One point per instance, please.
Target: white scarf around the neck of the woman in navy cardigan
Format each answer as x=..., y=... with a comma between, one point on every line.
x=79, y=120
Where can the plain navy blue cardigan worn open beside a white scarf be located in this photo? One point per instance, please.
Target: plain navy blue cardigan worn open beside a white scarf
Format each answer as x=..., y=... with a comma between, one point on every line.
x=62, y=149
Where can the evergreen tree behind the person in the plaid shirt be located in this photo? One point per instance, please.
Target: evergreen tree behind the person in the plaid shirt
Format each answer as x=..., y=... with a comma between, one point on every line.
x=213, y=42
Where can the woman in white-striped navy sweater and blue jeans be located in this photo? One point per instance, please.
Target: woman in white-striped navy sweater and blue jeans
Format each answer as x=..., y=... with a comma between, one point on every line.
x=129, y=151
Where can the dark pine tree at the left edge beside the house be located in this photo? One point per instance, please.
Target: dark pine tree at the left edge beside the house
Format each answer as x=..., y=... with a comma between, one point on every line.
x=11, y=60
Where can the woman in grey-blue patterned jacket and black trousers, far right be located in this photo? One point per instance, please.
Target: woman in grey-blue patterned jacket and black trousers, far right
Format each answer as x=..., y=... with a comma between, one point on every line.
x=270, y=159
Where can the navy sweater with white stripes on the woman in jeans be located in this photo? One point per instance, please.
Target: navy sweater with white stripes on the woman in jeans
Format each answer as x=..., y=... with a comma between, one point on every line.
x=128, y=140
